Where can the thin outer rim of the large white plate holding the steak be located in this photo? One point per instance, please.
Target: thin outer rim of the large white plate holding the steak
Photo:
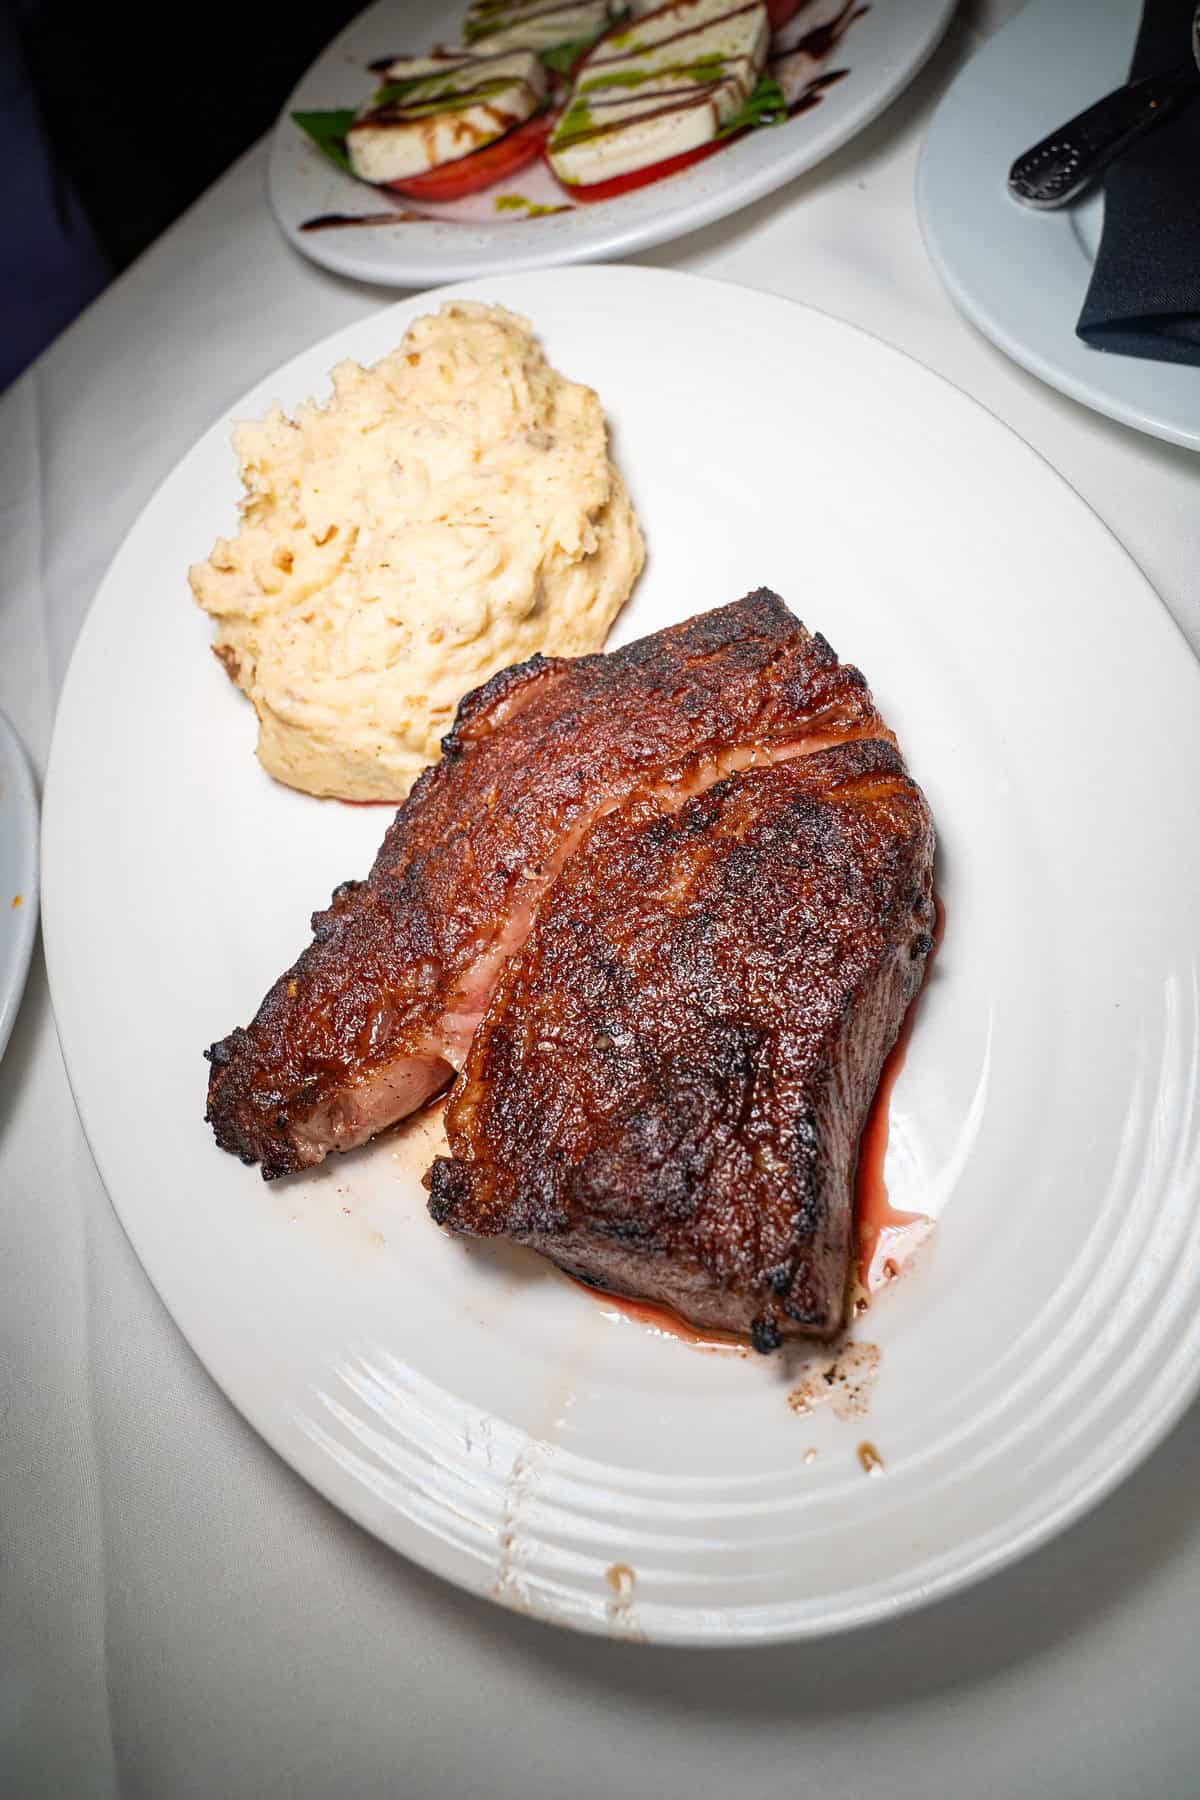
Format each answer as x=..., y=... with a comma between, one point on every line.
x=1172, y=1396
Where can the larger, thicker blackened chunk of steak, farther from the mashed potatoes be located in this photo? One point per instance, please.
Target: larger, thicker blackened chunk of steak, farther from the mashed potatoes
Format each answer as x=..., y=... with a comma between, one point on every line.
x=668, y=1088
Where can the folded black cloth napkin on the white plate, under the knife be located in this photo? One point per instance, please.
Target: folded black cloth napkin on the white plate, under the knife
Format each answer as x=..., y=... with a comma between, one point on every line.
x=1145, y=294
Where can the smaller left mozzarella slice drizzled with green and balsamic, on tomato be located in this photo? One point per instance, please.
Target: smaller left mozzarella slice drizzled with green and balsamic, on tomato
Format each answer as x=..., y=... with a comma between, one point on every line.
x=445, y=114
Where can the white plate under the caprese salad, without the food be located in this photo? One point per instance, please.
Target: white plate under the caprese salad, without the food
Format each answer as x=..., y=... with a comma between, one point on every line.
x=882, y=51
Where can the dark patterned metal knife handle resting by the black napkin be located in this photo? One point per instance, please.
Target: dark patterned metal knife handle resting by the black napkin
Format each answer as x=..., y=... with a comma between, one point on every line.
x=1064, y=163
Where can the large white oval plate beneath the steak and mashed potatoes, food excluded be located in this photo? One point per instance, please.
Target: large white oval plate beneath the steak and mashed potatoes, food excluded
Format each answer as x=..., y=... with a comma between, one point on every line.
x=474, y=1408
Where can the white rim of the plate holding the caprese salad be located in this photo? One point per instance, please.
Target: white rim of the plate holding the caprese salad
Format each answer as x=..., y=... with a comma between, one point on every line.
x=609, y=231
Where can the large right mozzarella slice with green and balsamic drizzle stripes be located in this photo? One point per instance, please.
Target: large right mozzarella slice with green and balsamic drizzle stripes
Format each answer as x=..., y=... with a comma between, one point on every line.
x=663, y=87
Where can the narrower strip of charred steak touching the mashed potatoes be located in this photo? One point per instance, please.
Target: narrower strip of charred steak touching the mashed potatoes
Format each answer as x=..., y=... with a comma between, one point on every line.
x=381, y=1009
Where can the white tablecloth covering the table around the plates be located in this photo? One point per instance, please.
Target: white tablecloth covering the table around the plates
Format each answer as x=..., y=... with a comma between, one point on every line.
x=179, y=1614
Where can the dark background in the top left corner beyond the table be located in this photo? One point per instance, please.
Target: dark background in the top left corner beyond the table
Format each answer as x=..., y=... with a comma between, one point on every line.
x=112, y=121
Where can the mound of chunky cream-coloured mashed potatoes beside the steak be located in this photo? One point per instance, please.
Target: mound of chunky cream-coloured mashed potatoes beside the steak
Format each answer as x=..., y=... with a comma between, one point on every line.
x=447, y=514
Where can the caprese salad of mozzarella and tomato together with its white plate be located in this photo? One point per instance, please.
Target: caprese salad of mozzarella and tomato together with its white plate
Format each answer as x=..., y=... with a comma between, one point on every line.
x=425, y=147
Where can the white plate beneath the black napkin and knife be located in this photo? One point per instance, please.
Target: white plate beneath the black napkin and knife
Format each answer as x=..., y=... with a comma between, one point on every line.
x=1017, y=274
